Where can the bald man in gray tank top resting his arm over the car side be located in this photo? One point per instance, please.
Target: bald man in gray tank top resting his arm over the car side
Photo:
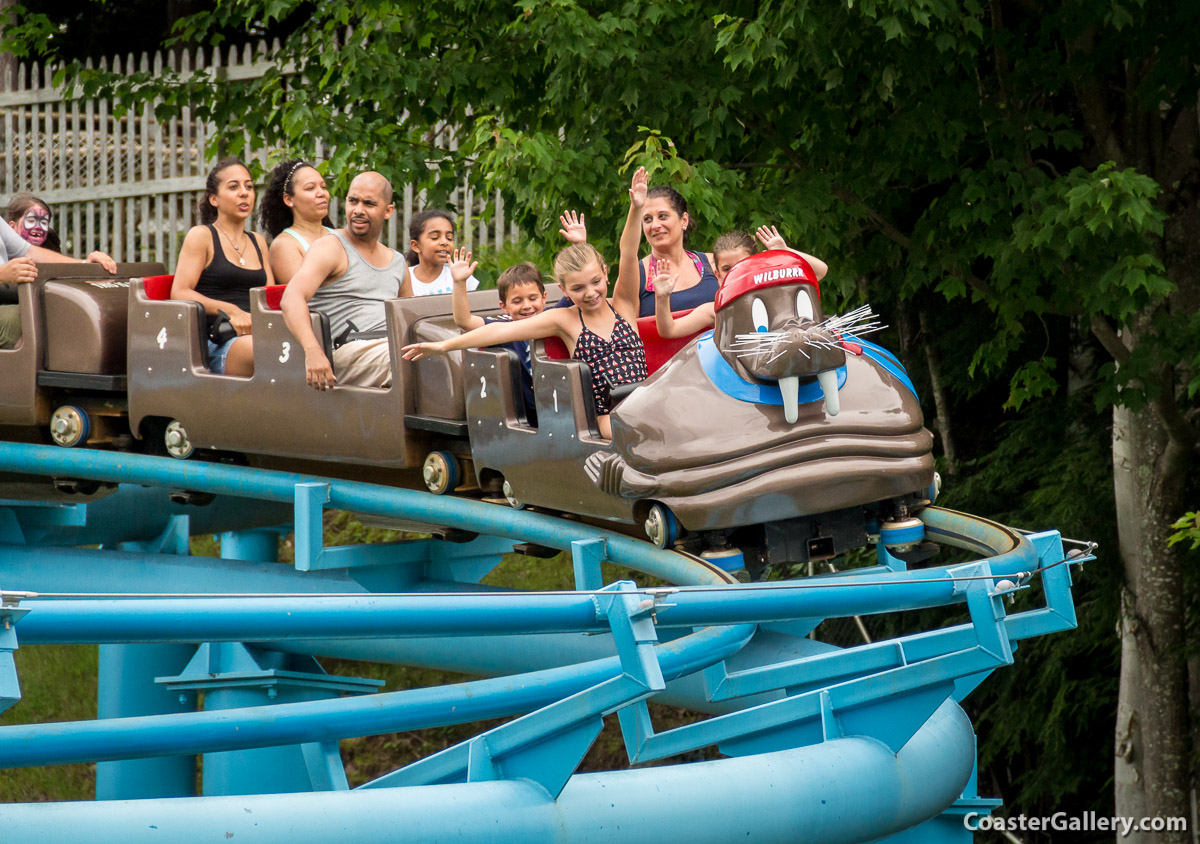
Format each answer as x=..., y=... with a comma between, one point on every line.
x=349, y=278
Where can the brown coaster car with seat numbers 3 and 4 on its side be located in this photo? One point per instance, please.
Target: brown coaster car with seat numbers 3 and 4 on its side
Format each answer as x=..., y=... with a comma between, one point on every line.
x=274, y=414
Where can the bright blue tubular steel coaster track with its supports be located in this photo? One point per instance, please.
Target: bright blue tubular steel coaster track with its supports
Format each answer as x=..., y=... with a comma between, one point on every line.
x=214, y=660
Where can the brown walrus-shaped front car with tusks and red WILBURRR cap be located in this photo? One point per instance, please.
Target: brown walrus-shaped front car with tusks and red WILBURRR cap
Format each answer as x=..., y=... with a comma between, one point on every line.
x=776, y=427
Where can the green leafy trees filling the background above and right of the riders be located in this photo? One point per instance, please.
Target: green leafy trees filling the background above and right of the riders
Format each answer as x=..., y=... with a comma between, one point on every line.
x=1025, y=176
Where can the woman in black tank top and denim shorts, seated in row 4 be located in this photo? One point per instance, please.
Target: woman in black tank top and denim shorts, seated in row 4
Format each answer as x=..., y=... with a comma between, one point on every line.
x=221, y=261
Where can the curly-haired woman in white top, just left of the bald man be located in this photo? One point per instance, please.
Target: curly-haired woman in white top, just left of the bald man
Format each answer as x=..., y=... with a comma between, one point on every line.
x=297, y=205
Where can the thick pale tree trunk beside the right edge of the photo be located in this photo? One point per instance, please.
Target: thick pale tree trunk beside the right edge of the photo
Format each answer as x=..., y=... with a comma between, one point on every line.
x=1154, y=741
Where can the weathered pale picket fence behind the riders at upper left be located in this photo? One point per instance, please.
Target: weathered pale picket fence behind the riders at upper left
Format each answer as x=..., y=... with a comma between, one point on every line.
x=128, y=185
